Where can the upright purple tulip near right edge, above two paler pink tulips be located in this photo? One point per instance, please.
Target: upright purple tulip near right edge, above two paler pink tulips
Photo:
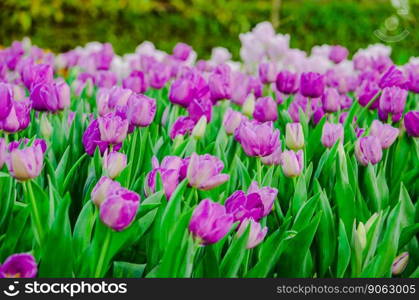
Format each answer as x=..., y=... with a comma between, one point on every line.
x=392, y=101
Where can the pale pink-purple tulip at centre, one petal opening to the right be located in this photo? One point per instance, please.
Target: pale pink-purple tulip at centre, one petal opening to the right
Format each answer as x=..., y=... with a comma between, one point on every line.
x=204, y=172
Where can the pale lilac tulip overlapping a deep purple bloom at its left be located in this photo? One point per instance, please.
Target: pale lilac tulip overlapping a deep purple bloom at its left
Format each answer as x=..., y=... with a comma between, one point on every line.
x=113, y=128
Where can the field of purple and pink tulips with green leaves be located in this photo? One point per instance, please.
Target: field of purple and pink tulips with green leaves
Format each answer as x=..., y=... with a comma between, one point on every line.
x=285, y=163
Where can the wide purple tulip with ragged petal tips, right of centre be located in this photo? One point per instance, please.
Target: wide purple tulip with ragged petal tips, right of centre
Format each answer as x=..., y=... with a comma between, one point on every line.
x=257, y=139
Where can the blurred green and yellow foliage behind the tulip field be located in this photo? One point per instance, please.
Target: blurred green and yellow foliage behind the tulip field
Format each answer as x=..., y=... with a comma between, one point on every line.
x=63, y=24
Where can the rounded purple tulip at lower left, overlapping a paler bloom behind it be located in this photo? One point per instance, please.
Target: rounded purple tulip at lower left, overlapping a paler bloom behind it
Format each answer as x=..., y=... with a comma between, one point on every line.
x=119, y=209
